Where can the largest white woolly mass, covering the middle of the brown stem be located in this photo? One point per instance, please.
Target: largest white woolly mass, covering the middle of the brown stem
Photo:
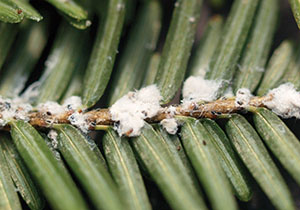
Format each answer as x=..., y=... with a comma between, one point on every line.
x=131, y=110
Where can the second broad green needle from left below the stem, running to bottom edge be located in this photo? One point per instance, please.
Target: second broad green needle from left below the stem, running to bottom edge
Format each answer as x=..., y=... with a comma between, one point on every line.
x=88, y=167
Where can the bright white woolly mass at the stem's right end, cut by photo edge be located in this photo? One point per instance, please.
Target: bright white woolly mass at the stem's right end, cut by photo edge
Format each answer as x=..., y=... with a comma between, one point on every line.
x=285, y=101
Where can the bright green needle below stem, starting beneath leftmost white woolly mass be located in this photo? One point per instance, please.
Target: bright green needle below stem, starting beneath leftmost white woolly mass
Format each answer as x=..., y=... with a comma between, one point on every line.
x=55, y=183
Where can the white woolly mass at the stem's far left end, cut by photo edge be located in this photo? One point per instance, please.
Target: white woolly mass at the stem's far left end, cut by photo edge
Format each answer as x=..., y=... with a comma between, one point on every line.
x=13, y=109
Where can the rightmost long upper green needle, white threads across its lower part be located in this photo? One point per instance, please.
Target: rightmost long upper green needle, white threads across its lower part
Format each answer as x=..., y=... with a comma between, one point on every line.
x=253, y=61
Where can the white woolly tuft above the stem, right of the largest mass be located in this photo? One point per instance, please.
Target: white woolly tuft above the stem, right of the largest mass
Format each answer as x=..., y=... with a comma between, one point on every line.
x=197, y=89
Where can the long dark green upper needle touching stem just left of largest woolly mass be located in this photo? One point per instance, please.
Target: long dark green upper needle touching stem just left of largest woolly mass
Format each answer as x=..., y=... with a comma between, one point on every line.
x=104, y=53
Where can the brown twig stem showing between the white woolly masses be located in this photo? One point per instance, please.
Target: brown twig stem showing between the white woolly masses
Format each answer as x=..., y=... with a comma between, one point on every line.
x=101, y=118
